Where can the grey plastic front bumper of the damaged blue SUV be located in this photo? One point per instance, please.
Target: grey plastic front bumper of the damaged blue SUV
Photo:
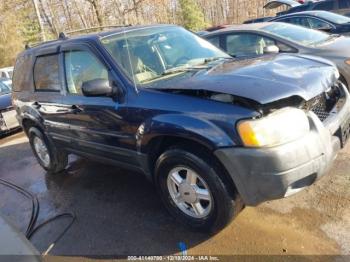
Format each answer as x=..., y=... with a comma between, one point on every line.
x=272, y=173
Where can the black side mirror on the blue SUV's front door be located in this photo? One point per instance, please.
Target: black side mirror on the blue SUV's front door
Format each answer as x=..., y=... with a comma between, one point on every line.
x=97, y=87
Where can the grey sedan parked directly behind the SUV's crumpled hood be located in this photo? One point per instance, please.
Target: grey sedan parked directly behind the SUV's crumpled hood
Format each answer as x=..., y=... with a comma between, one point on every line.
x=266, y=38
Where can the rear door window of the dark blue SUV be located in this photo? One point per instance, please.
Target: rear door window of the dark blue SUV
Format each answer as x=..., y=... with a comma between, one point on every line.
x=46, y=74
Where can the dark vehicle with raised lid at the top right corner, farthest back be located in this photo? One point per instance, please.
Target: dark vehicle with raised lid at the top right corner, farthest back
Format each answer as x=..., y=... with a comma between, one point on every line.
x=341, y=7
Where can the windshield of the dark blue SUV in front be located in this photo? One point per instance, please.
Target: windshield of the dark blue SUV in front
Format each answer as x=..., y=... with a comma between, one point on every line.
x=154, y=53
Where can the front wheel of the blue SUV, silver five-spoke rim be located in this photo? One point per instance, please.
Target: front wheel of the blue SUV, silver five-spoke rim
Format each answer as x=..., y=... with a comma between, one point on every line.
x=193, y=192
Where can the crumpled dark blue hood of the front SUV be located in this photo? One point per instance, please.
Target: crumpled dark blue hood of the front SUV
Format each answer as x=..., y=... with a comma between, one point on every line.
x=265, y=79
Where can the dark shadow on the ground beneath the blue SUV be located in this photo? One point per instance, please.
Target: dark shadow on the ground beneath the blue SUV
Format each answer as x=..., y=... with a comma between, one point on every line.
x=118, y=213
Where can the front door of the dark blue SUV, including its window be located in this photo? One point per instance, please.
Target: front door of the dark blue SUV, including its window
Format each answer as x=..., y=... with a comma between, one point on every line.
x=96, y=125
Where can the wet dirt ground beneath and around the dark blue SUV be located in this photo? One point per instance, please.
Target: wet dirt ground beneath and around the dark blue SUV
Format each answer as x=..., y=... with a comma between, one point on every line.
x=119, y=213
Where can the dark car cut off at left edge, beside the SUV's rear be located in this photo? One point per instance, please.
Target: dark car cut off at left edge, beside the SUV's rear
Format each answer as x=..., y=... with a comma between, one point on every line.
x=8, y=121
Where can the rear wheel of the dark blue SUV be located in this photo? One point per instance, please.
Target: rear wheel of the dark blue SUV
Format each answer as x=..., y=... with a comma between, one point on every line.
x=49, y=157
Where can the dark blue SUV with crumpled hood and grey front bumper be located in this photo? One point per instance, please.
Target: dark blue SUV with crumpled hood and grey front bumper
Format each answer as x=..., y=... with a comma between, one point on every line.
x=213, y=134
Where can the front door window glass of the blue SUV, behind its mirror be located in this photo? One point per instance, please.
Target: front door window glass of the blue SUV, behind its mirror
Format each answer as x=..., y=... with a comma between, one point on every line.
x=80, y=67
